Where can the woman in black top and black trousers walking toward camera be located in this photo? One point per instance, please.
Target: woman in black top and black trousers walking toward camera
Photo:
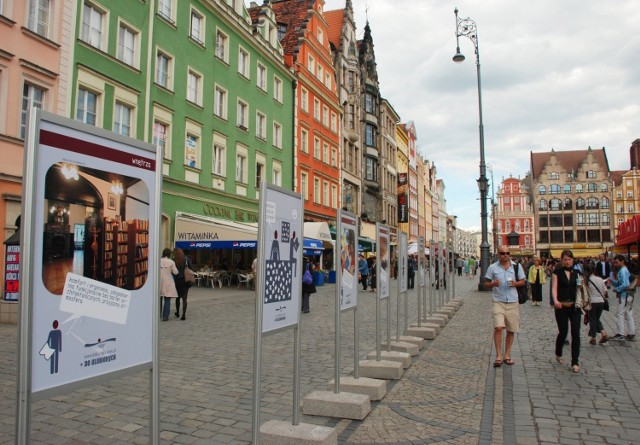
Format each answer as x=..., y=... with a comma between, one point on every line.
x=564, y=290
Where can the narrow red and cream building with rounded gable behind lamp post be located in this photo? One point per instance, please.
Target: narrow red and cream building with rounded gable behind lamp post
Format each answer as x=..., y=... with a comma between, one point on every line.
x=514, y=218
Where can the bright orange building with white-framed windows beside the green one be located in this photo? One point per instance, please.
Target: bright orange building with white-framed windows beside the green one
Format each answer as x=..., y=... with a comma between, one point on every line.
x=304, y=36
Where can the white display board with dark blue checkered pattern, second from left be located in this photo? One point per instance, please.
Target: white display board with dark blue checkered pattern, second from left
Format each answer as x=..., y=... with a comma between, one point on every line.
x=281, y=235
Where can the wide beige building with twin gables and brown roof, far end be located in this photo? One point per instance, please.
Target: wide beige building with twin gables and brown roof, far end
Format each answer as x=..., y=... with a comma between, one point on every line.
x=571, y=194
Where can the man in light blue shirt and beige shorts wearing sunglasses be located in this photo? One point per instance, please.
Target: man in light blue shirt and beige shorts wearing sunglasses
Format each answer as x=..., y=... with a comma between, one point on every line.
x=506, y=310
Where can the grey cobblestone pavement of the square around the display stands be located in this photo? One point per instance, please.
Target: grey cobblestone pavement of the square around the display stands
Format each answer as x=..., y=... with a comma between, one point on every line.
x=451, y=394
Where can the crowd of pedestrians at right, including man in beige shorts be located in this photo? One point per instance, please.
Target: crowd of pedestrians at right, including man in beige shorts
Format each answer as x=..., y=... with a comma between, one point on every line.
x=578, y=292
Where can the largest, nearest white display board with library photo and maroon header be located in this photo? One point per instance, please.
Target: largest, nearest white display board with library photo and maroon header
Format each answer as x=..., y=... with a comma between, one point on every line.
x=92, y=288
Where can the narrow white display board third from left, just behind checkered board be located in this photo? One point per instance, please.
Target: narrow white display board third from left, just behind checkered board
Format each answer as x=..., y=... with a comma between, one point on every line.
x=347, y=237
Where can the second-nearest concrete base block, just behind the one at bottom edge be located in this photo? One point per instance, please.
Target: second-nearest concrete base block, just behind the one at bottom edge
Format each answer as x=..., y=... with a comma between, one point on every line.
x=342, y=405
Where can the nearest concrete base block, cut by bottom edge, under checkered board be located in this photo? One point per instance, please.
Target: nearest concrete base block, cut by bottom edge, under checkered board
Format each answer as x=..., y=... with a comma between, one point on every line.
x=276, y=432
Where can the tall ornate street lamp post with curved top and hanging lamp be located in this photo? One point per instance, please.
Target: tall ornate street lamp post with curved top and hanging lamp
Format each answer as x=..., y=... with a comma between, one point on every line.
x=467, y=28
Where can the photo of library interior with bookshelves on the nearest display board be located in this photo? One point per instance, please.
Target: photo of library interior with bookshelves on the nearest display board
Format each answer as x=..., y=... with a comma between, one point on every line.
x=96, y=225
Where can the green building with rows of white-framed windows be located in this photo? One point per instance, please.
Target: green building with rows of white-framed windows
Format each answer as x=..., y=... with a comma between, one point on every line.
x=202, y=82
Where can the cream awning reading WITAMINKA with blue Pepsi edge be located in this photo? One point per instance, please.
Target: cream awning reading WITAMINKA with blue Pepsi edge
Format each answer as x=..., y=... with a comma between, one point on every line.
x=201, y=232
